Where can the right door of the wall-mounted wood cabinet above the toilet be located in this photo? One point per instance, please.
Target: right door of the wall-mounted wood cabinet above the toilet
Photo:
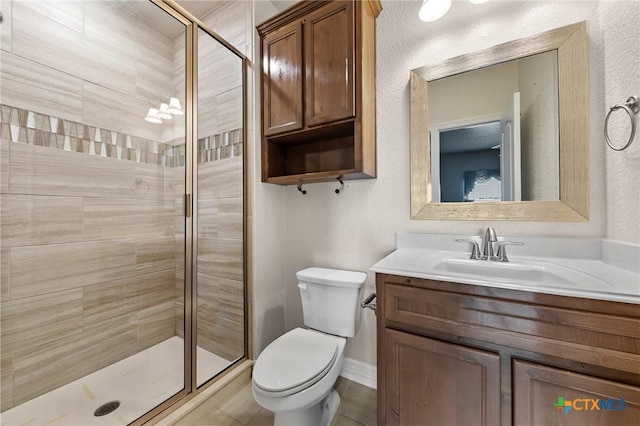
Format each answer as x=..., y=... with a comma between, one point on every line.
x=329, y=56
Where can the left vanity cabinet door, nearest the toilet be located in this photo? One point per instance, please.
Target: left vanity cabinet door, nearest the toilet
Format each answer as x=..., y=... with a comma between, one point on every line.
x=429, y=382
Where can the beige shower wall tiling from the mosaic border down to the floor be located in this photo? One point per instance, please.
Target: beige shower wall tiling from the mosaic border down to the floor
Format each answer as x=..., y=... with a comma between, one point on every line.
x=80, y=253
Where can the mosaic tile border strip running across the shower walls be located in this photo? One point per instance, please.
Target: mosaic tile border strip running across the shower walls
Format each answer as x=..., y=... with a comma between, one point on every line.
x=32, y=128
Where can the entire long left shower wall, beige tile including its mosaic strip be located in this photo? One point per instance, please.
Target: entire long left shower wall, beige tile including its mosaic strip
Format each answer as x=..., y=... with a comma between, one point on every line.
x=87, y=194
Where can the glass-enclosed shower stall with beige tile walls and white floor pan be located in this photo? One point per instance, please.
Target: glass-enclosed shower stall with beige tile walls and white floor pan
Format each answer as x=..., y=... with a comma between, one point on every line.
x=122, y=202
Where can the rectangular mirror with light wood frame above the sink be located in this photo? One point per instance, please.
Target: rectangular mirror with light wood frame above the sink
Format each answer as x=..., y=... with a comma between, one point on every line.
x=517, y=150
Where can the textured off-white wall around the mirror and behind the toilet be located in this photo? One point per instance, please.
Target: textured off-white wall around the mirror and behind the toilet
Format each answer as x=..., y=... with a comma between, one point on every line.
x=355, y=229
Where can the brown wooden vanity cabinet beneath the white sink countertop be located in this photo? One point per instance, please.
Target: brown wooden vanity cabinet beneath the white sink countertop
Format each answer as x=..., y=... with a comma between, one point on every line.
x=457, y=354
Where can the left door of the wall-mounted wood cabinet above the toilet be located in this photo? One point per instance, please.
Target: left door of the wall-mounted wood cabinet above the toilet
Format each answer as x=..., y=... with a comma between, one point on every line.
x=282, y=79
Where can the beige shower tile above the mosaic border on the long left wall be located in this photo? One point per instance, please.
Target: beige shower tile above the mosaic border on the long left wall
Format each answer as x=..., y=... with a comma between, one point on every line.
x=92, y=62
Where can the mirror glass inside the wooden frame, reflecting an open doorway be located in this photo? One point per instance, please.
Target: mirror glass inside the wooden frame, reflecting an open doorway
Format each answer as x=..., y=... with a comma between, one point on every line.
x=507, y=122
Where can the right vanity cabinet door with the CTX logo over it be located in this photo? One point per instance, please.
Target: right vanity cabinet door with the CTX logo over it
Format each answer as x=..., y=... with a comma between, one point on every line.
x=550, y=396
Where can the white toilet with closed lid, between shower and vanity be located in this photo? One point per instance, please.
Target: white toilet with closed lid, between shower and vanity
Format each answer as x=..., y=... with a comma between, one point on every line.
x=294, y=376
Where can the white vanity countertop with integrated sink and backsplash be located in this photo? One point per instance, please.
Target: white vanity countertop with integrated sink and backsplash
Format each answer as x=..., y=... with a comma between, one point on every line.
x=575, y=268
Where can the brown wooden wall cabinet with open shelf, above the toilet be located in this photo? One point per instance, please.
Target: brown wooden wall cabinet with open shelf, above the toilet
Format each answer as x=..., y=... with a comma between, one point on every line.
x=318, y=92
